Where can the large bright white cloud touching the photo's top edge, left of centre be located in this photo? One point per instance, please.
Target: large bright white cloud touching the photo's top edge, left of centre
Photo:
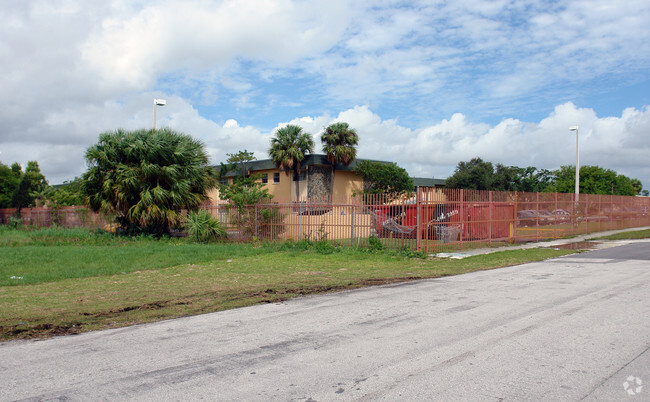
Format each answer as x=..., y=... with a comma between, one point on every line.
x=164, y=36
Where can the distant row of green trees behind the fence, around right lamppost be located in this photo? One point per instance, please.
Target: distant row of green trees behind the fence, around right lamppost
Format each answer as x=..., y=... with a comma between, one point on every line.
x=478, y=174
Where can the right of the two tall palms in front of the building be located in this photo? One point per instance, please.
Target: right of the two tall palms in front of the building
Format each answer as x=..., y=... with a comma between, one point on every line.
x=339, y=143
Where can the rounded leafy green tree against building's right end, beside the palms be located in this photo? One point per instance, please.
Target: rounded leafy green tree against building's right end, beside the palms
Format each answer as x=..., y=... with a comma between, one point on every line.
x=384, y=178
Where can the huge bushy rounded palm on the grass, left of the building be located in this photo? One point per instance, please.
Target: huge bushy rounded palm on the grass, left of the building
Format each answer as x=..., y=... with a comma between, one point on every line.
x=146, y=177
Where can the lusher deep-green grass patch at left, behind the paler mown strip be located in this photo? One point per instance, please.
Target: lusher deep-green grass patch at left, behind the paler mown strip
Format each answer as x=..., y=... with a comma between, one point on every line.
x=47, y=255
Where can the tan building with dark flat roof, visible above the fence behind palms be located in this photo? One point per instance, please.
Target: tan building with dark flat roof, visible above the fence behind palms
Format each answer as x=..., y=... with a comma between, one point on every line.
x=314, y=181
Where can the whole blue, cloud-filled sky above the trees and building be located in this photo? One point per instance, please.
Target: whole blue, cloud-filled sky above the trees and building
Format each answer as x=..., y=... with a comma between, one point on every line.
x=426, y=84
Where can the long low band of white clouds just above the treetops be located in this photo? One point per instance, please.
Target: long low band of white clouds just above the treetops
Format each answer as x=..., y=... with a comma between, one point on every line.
x=617, y=143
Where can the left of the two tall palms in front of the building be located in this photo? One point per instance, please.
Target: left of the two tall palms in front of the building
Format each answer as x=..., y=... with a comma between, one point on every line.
x=288, y=149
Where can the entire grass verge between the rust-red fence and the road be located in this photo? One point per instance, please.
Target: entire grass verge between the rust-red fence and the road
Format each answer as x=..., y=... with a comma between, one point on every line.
x=55, y=281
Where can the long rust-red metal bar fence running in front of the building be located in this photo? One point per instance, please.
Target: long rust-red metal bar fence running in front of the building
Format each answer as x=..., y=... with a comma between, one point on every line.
x=430, y=220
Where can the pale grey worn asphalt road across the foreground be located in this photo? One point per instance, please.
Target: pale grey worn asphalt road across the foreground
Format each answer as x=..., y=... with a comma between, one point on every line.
x=566, y=329
